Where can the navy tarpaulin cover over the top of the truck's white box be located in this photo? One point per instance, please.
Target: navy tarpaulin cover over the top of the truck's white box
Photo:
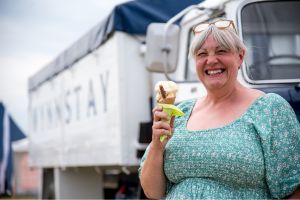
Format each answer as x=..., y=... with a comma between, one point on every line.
x=132, y=17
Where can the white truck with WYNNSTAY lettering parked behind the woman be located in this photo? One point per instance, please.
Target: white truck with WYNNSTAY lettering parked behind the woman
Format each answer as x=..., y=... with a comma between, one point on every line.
x=90, y=109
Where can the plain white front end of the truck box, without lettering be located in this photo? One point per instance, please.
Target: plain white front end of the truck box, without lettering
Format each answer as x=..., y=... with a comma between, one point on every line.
x=135, y=95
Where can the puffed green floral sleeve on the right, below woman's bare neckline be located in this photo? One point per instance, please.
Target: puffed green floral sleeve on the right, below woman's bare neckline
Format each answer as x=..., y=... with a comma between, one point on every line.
x=279, y=130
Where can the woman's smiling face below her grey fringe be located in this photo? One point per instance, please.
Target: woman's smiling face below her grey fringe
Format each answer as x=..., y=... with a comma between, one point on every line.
x=217, y=67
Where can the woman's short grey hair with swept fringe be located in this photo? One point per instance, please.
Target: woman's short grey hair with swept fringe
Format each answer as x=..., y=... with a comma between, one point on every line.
x=226, y=38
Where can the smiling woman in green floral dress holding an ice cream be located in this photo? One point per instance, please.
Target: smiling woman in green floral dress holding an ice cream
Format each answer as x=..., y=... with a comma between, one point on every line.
x=233, y=143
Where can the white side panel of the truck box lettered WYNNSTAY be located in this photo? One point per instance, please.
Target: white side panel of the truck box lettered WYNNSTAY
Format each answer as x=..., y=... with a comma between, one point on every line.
x=74, y=117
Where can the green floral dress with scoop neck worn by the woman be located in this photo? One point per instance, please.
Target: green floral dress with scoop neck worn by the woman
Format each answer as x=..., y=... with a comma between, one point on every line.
x=256, y=156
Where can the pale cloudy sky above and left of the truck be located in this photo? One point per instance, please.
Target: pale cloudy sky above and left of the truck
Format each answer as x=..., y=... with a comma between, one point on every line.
x=35, y=32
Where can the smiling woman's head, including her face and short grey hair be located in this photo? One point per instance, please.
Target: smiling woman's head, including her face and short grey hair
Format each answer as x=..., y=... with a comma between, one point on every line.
x=218, y=58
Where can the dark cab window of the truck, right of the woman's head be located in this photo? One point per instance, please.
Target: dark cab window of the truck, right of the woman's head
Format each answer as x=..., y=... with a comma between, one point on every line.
x=271, y=32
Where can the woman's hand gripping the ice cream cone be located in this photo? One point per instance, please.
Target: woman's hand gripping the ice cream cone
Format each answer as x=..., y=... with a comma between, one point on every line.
x=160, y=127
